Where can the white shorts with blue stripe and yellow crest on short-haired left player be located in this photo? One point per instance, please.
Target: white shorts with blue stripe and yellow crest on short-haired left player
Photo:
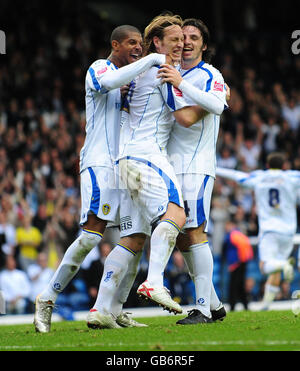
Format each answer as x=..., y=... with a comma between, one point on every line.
x=99, y=194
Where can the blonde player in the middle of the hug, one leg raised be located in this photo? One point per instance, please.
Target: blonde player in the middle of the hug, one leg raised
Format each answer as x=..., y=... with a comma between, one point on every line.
x=143, y=163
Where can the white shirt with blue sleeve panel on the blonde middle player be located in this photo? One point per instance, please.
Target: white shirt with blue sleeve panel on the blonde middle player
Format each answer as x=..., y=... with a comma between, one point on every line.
x=149, y=119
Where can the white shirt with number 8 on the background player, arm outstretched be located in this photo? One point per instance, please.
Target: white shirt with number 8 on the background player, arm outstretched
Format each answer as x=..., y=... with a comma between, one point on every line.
x=275, y=194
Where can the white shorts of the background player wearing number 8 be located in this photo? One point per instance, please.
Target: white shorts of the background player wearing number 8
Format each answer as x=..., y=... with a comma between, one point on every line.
x=273, y=245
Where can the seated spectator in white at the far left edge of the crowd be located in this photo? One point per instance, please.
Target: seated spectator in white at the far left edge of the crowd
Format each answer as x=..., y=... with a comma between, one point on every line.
x=15, y=287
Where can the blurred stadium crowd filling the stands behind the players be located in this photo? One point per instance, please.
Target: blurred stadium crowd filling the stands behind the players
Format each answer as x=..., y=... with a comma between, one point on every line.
x=42, y=129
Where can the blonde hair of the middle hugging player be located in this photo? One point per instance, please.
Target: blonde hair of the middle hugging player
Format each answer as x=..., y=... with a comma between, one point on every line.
x=156, y=28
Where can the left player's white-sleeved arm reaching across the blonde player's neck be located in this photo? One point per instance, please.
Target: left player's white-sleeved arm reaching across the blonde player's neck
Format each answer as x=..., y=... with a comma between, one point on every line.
x=114, y=79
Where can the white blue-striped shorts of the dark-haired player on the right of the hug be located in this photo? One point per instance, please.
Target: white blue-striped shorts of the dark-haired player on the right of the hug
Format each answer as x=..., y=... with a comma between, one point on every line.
x=196, y=191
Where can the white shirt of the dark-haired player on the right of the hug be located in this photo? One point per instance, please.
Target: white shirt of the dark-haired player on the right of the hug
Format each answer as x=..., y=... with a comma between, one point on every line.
x=193, y=149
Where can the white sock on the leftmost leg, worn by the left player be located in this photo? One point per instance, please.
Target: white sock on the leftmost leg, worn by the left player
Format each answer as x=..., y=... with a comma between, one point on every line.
x=70, y=263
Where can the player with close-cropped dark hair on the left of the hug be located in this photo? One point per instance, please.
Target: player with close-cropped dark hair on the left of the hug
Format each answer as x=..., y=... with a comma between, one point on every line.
x=100, y=195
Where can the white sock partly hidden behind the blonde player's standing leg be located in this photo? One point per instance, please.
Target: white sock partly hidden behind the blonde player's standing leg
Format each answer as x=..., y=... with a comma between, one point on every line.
x=125, y=286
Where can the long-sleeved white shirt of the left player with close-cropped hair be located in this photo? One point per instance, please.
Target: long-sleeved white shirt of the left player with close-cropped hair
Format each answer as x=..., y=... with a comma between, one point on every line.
x=103, y=105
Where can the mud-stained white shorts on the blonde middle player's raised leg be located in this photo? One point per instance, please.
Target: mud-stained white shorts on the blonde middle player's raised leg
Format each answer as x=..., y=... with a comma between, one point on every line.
x=151, y=186
